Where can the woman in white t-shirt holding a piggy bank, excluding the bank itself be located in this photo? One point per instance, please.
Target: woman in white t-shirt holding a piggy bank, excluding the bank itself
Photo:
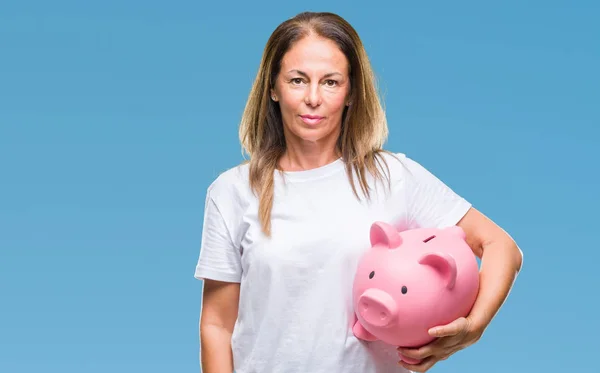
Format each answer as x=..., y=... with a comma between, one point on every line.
x=283, y=232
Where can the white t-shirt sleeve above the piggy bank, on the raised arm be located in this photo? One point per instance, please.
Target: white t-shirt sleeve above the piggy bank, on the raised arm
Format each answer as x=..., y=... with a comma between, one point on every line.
x=430, y=202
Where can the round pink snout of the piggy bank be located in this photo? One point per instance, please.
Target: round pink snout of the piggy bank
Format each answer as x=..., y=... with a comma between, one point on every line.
x=377, y=307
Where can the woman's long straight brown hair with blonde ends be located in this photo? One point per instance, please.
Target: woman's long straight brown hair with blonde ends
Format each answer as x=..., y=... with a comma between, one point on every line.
x=364, y=126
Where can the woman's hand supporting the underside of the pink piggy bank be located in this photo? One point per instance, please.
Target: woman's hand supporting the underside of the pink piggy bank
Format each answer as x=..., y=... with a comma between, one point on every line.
x=452, y=338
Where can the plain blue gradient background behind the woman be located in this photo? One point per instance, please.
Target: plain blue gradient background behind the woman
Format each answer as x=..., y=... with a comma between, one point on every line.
x=116, y=116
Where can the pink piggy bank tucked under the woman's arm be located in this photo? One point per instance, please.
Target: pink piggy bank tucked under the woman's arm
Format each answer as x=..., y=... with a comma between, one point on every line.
x=411, y=281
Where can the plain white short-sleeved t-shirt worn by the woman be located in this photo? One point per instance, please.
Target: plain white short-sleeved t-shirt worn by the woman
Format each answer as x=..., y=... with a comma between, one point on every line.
x=295, y=308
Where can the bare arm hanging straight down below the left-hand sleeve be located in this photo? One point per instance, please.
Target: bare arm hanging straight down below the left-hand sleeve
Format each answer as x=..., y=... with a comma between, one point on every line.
x=219, y=312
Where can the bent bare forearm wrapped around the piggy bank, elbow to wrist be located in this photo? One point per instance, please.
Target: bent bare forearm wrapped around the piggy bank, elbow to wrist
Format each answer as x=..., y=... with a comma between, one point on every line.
x=500, y=264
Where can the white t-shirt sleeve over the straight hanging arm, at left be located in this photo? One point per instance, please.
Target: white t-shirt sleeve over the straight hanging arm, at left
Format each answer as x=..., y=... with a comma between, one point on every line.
x=219, y=259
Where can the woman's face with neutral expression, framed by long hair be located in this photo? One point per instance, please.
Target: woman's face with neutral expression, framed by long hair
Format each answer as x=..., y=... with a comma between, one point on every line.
x=312, y=90
